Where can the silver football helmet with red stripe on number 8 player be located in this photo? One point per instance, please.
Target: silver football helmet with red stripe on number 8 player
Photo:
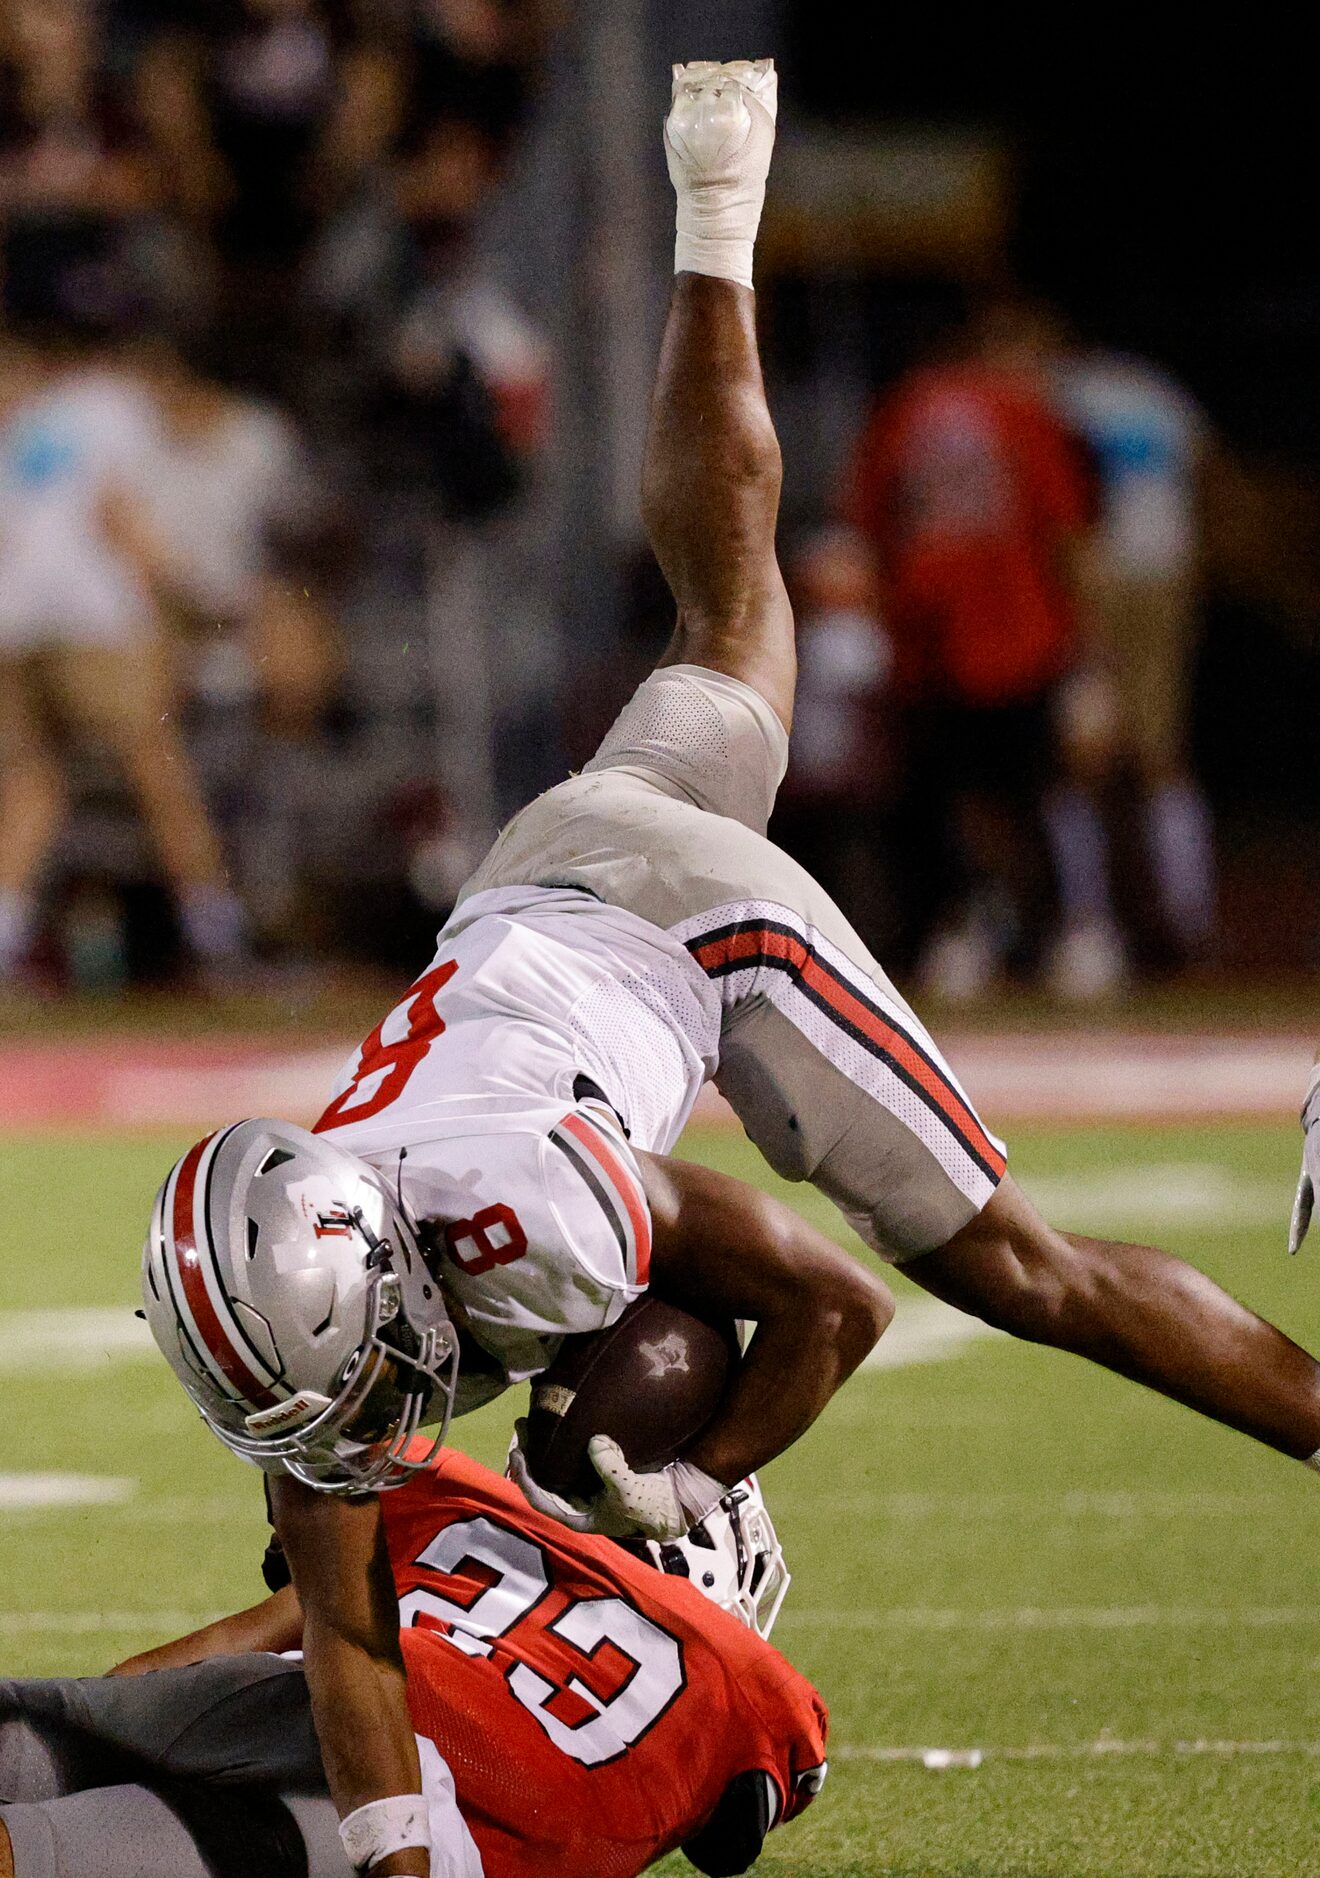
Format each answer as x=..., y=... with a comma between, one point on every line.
x=290, y=1297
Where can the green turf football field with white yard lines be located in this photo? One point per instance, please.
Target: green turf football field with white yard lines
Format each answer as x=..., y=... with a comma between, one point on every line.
x=994, y=1550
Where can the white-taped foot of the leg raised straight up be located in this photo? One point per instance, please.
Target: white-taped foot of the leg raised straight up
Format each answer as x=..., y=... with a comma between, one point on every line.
x=718, y=142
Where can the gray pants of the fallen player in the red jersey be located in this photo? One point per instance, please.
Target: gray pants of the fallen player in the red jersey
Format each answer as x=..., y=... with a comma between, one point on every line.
x=209, y=1772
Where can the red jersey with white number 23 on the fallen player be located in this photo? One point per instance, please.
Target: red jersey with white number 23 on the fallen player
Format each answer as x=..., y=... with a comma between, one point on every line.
x=591, y=1708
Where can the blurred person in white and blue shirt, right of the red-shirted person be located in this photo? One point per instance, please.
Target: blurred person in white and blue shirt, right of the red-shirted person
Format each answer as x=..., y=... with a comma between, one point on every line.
x=1148, y=442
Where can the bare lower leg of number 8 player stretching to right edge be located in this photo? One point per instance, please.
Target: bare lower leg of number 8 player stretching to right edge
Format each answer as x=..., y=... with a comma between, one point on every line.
x=1133, y=1310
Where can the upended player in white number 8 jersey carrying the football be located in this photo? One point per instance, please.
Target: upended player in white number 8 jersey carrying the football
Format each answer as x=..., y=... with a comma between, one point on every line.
x=495, y=1165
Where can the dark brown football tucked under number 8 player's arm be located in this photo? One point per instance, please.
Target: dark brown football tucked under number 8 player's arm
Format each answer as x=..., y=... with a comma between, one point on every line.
x=652, y=1381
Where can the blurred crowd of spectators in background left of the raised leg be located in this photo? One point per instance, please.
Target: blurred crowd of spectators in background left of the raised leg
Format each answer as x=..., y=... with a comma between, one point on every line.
x=247, y=363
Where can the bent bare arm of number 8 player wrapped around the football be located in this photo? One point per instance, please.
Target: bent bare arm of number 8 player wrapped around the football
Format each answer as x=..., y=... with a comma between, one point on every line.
x=729, y=1250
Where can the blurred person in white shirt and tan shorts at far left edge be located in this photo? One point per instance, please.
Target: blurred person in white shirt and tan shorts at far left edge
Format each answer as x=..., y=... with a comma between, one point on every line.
x=82, y=649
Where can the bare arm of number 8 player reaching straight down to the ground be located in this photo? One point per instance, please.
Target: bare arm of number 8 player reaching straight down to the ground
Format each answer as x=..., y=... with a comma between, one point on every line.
x=352, y=1657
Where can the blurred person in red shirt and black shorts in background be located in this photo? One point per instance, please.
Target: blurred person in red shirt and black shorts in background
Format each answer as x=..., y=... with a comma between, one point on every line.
x=975, y=504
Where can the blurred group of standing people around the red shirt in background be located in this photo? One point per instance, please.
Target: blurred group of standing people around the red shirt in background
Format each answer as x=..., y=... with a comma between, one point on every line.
x=998, y=639
